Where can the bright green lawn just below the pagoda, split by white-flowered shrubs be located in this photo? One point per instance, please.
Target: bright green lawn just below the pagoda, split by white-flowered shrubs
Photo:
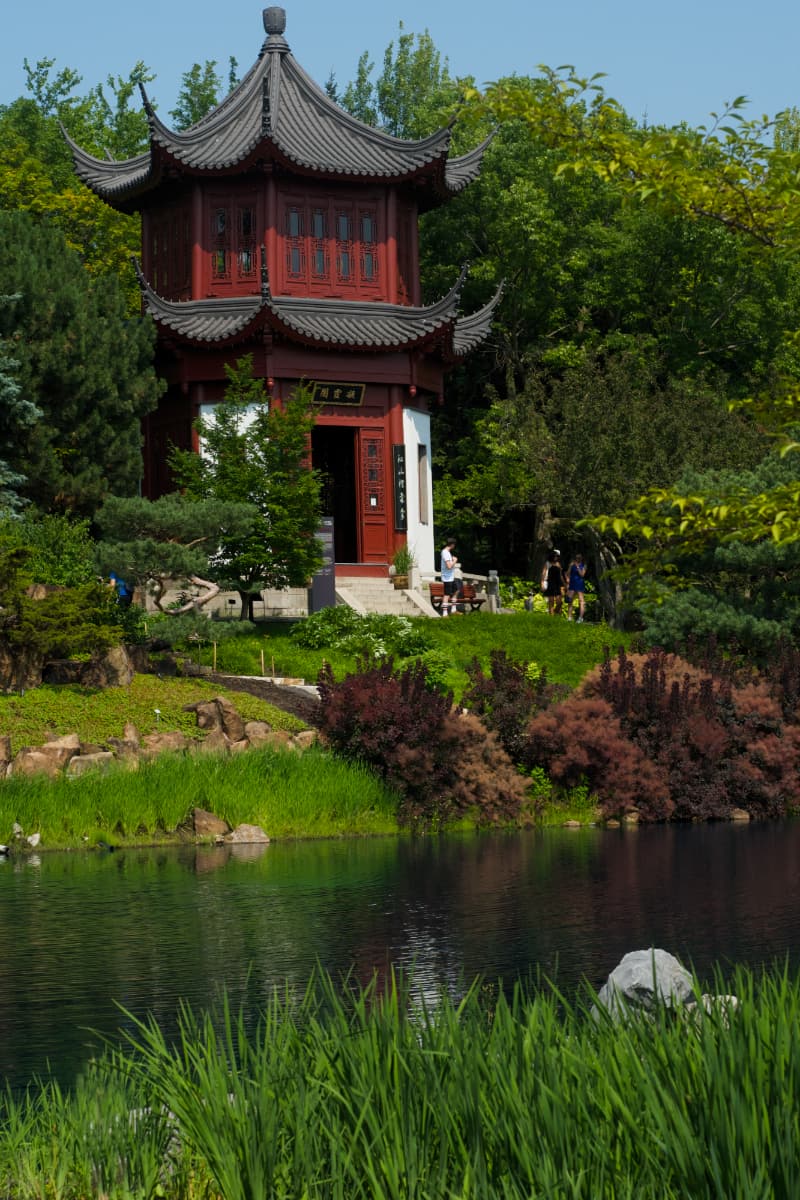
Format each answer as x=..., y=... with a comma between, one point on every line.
x=567, y=650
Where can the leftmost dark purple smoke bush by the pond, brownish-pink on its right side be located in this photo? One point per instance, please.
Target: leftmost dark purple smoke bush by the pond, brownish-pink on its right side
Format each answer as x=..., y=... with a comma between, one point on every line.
x=443, y=764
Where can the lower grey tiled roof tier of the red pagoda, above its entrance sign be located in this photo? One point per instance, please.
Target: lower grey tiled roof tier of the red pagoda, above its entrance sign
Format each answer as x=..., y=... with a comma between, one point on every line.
x=334, y=325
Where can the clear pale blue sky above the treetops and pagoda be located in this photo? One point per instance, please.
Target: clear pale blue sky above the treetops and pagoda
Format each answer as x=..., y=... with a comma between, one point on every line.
x=669, y=63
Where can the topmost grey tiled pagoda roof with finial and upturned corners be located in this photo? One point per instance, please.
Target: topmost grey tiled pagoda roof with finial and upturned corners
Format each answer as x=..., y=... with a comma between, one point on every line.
x=279, y=113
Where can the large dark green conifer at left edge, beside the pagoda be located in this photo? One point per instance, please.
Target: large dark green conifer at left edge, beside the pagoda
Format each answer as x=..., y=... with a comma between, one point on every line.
x=83, y=363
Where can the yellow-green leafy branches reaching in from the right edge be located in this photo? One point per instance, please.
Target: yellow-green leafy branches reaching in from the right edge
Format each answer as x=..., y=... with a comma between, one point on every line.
x=727, y=176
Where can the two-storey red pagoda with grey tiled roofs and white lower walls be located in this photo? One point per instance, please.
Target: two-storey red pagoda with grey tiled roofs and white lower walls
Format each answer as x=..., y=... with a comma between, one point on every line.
x=282, y=227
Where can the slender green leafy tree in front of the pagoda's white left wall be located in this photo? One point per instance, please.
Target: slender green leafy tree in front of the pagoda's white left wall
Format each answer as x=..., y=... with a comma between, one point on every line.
x=257, y=453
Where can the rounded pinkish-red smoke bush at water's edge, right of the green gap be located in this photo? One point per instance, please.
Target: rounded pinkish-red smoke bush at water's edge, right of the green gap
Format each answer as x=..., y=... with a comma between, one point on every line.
x=582, y=741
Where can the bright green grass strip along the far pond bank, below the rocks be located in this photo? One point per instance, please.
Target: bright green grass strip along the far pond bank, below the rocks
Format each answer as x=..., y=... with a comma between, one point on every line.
x=287, y=794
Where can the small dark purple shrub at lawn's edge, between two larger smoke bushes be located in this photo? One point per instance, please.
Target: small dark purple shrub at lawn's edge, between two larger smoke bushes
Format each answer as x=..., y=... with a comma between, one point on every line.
x=507, y=699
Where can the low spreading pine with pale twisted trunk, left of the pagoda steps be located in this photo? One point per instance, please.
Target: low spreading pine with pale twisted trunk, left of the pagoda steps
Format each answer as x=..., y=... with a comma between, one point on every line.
x=166, y=544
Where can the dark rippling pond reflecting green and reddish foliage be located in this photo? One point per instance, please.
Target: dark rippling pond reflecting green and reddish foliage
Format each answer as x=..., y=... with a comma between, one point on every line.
x=83, y=934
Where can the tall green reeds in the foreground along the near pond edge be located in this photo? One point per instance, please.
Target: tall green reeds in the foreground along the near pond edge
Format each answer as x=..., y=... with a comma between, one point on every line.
x=370, y=1095
